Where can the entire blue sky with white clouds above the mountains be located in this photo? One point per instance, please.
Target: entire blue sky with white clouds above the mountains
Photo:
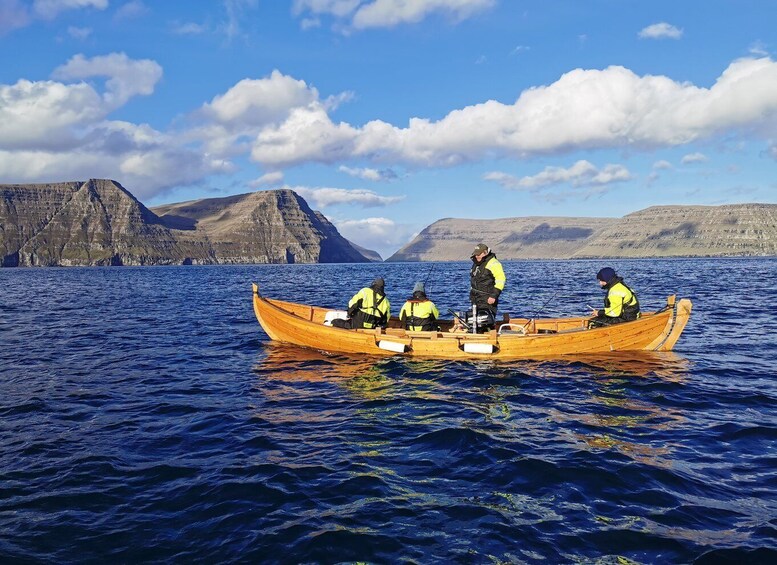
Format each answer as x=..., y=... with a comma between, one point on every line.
x=387, y=115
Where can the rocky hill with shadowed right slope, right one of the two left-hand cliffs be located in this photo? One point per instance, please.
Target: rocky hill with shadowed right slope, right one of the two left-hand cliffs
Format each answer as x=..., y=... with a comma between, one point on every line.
x=261, y=227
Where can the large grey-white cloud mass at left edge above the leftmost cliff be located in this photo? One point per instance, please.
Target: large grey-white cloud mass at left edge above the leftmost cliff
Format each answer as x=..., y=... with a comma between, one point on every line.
x=53, y=130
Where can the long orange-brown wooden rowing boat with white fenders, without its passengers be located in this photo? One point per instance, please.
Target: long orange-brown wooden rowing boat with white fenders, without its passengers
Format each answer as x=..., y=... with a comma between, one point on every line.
x=513, y=338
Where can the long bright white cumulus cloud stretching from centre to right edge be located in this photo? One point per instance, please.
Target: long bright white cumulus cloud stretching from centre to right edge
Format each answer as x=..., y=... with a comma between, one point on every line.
x=584, y=109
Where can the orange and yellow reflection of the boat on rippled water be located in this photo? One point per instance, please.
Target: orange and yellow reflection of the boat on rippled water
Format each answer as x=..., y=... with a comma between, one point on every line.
x=611, y=410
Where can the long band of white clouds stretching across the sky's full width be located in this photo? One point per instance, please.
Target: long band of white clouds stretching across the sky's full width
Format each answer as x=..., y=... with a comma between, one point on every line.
x=63, y=128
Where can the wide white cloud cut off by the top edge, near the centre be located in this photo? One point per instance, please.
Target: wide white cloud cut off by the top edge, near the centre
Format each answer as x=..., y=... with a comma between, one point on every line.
x=360, y=14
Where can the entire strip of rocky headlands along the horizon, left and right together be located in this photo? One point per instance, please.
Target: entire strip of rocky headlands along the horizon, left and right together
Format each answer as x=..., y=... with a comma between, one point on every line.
x=98, y=222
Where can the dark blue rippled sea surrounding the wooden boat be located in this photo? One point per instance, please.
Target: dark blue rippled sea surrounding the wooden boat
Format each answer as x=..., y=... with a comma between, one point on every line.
x=144, y=416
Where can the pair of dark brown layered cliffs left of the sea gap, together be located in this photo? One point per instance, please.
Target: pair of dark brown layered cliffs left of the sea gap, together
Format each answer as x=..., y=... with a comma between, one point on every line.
x=98, y=222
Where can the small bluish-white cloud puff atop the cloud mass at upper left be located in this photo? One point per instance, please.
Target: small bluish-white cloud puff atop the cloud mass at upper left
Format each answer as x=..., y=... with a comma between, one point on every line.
x=126, y=77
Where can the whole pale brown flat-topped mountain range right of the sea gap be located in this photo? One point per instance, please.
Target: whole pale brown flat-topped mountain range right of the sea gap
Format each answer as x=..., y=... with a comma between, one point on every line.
x=659, y=231
